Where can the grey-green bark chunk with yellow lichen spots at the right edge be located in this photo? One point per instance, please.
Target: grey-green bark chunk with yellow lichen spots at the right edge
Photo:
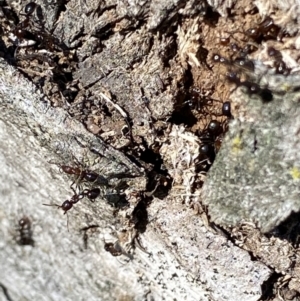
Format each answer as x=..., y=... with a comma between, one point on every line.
x=258, y=165
